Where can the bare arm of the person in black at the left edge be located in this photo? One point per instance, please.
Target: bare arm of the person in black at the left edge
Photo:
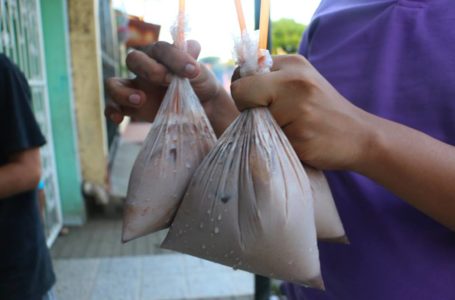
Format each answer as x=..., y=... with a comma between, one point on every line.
x=22, y=173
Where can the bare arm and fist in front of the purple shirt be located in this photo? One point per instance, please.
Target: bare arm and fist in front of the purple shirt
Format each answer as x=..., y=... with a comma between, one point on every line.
x=328, y=132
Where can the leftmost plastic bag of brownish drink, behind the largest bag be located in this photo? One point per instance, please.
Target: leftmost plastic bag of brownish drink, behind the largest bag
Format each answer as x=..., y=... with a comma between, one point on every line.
x=179, y=139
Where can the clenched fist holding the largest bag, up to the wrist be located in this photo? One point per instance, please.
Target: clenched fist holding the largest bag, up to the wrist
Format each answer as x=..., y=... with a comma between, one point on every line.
x=325, y=129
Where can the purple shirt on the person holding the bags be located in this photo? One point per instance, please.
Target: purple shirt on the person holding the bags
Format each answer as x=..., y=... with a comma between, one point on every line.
x=395, y=59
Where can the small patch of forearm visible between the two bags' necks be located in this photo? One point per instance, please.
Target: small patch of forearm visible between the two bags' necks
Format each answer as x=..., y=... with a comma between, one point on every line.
x=221, y=111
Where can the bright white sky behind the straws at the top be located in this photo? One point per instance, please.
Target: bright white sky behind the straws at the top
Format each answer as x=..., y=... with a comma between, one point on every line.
x=213, y=22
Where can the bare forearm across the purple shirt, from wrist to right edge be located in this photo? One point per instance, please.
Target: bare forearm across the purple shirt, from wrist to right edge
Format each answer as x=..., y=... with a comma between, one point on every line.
x=416, y=167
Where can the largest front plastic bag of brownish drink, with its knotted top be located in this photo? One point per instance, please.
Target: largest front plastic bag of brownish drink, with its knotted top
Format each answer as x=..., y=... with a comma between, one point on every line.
x=250, y=204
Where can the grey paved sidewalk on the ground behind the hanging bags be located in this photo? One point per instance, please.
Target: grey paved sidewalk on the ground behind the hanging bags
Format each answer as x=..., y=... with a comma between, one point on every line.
x=92, y=264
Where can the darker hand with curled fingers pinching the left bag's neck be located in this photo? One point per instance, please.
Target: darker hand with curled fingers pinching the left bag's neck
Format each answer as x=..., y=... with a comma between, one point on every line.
x=141, y=97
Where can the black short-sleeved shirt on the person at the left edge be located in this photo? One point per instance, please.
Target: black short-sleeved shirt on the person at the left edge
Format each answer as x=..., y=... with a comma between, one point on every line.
x=25, y=265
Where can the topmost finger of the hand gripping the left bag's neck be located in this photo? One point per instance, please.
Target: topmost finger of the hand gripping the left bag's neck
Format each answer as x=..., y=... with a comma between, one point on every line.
x=178, y=62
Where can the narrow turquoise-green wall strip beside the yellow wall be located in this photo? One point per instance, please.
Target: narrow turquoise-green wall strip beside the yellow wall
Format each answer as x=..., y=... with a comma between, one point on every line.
x=56, y=43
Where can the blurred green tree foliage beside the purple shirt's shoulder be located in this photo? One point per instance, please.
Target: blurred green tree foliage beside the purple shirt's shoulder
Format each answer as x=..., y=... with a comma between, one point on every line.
x=286, y=35
